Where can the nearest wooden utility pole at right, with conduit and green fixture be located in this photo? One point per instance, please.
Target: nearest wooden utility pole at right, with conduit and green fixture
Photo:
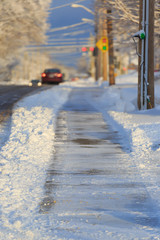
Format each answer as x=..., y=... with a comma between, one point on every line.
x=146, y=55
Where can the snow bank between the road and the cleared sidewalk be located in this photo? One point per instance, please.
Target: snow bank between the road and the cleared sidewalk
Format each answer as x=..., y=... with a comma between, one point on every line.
x=24, y=160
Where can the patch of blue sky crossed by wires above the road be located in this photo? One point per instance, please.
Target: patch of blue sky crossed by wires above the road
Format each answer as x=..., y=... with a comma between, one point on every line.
x=61, y=15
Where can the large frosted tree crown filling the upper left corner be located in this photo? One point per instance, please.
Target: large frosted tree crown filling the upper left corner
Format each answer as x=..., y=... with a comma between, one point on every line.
x=21, y=23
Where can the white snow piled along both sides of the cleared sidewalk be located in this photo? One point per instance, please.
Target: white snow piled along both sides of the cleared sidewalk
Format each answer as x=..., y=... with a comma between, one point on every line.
x=24, y=159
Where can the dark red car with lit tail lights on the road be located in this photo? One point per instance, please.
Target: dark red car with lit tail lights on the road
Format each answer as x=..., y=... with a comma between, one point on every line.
x=52, y=75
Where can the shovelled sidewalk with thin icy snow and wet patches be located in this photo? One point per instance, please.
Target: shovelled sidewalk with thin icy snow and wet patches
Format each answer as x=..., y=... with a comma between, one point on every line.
x=92, y=184
